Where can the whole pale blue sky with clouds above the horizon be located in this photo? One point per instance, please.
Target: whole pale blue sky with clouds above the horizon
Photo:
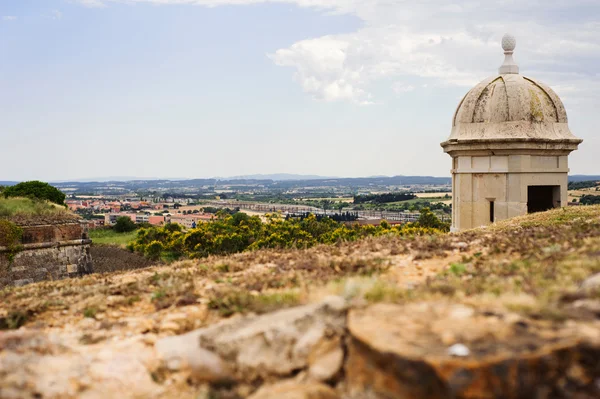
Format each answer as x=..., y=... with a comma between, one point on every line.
x=200, y=88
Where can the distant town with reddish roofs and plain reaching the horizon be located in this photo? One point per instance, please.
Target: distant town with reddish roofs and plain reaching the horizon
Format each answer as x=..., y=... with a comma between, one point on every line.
x=189, y=202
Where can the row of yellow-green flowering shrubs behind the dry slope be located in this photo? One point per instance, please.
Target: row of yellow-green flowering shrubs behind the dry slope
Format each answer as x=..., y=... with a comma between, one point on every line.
x=228, y=234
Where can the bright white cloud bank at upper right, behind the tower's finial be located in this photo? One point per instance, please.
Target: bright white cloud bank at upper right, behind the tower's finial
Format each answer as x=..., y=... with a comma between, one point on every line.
x=433, y=40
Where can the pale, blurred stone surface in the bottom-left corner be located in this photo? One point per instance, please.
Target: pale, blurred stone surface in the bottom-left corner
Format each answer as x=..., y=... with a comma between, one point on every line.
x=36, y=365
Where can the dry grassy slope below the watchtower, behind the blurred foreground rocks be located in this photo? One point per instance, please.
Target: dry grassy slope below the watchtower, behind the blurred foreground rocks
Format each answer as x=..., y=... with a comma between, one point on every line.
x=530, y=265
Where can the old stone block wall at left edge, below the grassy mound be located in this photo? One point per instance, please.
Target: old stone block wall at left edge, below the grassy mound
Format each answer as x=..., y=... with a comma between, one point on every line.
x=47, y=252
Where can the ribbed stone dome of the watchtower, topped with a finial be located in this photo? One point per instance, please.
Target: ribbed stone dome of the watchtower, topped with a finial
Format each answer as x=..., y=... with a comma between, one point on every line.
x=512, y=108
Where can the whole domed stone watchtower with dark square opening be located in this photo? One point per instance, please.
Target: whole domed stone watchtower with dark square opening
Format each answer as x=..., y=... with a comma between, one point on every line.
x=509, y=146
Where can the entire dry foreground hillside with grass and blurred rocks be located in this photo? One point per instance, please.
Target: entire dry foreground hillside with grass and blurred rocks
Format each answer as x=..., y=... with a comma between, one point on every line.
x=510, y=311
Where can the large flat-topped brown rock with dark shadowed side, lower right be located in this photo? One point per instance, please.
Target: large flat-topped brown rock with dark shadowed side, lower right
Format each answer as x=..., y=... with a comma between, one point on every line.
x=398, y=351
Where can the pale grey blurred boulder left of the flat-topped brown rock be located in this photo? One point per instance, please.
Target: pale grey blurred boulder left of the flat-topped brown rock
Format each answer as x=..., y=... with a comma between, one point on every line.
x=266, y=347
